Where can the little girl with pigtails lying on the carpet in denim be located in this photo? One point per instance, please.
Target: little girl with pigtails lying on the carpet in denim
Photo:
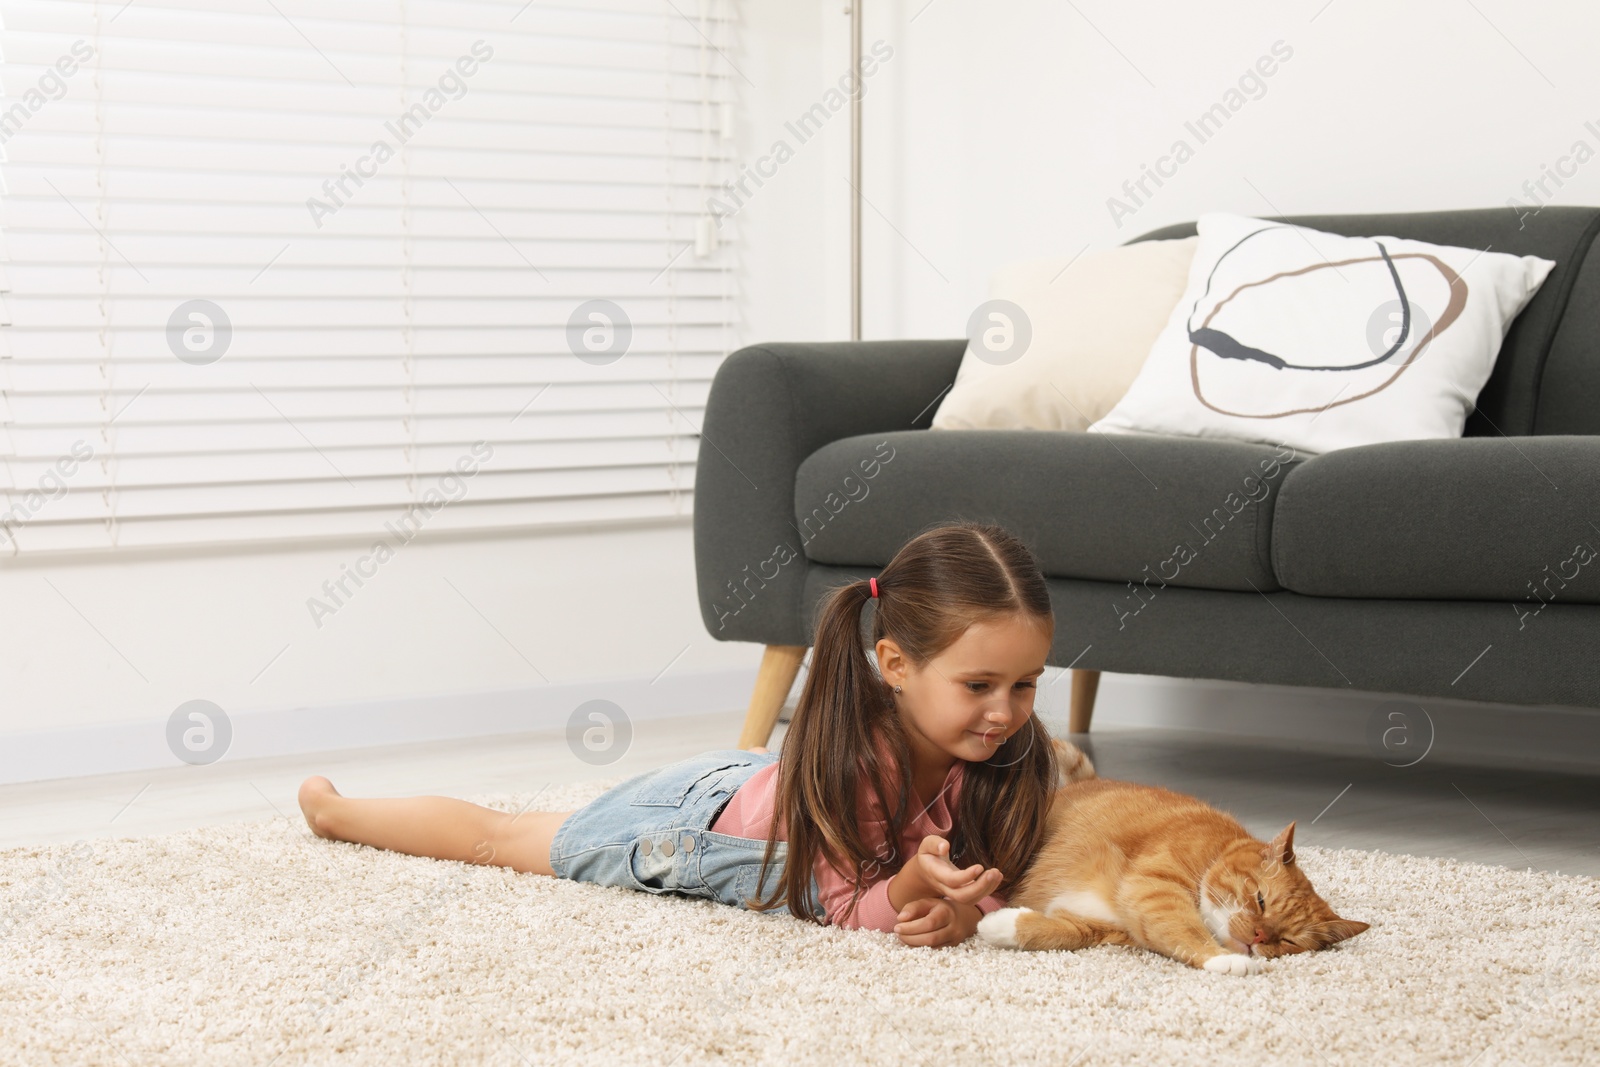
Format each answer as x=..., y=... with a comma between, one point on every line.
x=903, y=801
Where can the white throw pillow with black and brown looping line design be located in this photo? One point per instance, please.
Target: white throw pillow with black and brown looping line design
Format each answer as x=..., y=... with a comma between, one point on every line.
x=1289, y=335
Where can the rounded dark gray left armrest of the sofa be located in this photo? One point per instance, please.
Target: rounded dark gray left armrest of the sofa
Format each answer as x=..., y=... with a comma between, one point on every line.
x=770, y=407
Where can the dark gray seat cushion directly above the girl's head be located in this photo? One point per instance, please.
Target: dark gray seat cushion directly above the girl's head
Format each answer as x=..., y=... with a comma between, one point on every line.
x=1140, y=508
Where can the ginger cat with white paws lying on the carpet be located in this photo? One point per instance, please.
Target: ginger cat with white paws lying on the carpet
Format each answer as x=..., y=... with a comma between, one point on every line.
x=1129, y=865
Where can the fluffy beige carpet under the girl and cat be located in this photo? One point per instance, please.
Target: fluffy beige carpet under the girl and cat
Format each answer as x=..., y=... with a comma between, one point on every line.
x=262, y=945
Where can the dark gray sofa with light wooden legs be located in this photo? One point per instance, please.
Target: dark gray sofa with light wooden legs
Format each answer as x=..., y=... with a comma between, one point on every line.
x=1434, y=569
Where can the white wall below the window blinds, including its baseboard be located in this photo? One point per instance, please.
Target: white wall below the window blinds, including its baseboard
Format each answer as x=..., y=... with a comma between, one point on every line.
x=98, y=652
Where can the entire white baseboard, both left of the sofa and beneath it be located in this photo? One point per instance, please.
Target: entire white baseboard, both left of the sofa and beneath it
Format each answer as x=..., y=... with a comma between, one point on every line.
x=1334, y=721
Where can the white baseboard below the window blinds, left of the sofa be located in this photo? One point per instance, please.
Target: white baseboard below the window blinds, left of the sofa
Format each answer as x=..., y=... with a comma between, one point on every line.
x=137, y=746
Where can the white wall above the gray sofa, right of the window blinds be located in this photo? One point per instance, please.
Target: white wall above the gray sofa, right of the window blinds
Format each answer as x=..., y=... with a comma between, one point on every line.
x=999, y=130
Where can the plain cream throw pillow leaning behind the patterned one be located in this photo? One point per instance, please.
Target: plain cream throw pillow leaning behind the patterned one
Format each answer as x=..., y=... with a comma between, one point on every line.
x=1060, y=340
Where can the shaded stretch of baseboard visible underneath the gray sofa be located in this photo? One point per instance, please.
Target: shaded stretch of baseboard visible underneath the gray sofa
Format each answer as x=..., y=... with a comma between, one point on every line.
x=1337, y=721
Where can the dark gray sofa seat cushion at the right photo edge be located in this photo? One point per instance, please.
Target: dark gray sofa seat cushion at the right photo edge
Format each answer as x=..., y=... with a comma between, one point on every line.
x=1513, y=519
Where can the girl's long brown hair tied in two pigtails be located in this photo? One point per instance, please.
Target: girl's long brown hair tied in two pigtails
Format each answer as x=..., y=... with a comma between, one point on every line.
x=937, y=586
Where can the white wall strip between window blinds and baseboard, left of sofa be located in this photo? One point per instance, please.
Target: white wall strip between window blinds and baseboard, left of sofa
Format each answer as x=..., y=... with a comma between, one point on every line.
x=159, y=629
